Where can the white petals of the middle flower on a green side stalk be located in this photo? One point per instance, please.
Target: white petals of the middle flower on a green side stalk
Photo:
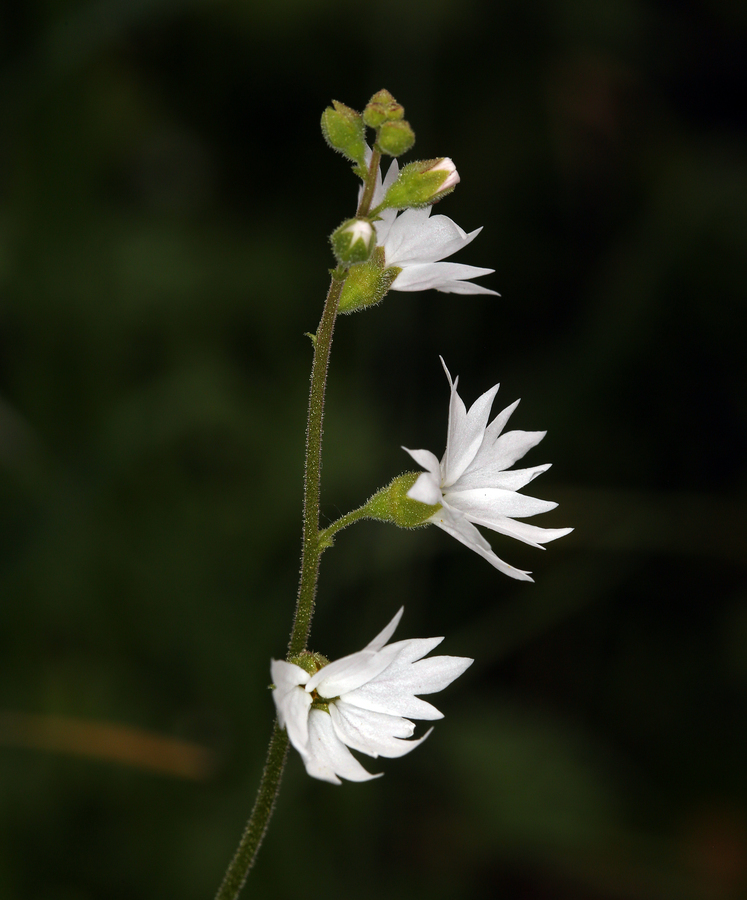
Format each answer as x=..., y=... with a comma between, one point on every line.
x=473, y=483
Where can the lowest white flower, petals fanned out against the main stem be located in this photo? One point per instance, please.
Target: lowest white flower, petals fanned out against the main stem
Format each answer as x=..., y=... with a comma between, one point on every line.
x=360, y=701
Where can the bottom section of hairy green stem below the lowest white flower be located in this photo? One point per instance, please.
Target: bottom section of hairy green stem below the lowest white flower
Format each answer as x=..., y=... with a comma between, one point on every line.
x=256, y=827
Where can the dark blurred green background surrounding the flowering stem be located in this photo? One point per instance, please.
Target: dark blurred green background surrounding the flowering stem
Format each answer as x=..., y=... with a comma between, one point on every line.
x=165, y=196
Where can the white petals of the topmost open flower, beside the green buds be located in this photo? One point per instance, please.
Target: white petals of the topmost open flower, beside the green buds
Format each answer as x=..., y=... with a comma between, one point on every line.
x=415, y=242
